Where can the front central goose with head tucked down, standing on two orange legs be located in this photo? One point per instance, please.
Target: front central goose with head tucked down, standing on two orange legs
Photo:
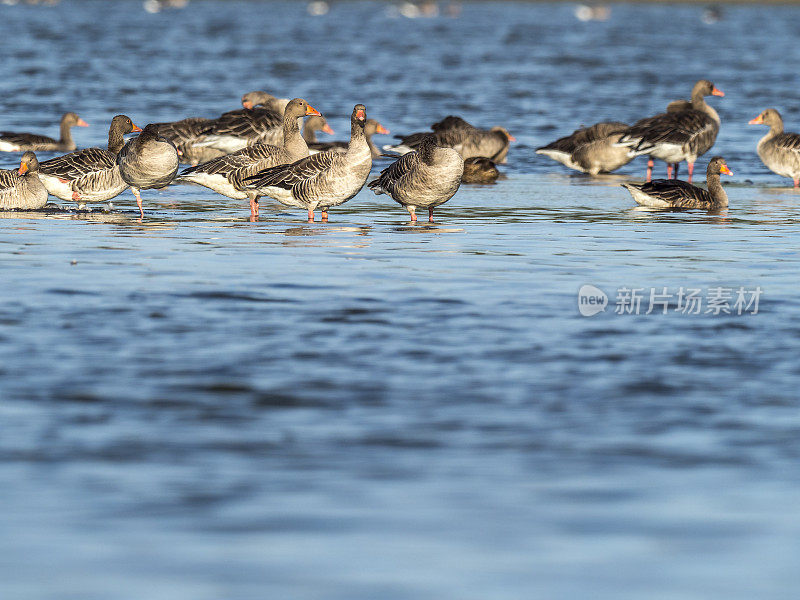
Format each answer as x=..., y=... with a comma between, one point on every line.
x=426, y=178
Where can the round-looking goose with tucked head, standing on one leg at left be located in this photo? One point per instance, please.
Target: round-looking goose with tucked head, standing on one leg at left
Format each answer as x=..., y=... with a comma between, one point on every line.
x=148, y=161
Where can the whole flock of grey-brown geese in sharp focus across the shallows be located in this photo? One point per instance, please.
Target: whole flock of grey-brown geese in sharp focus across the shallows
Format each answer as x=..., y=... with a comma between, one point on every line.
x=260, y=150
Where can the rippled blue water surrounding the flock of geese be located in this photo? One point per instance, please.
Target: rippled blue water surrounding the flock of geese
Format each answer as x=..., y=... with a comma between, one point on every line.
x=199, y=407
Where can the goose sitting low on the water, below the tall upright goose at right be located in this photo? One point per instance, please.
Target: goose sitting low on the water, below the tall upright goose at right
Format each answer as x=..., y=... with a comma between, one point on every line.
x=673, y=193
